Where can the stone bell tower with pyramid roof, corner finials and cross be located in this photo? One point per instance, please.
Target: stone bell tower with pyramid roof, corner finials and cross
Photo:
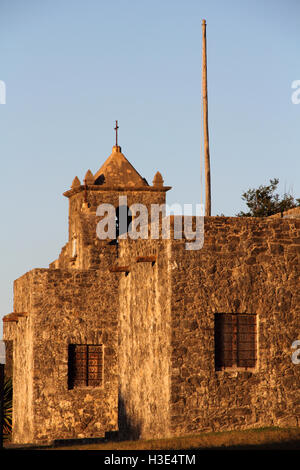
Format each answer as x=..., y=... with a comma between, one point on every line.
x=114, y=179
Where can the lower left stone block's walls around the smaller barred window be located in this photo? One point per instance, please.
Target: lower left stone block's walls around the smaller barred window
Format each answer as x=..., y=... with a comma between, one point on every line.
x=65, y=307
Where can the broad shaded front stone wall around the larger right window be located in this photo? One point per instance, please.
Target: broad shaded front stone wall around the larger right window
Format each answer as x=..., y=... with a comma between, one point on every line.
x=245, y=266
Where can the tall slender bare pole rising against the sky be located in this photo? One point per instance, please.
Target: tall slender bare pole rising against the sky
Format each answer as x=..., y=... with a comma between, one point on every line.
x=205, y=124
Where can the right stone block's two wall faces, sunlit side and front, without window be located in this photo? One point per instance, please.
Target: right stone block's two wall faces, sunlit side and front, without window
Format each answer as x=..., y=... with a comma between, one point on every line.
x=246, y=266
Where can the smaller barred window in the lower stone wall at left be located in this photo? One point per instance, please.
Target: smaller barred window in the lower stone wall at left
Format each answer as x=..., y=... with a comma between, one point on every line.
x=85, y=365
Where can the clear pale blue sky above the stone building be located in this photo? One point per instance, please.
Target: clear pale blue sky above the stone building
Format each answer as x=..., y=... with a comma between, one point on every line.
x=72, y=67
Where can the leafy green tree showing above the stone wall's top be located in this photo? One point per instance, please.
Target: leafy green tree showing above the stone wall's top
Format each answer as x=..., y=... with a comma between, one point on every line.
x=263, y=201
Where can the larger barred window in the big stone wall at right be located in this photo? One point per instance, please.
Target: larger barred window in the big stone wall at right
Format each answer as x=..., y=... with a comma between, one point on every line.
x=235, y=340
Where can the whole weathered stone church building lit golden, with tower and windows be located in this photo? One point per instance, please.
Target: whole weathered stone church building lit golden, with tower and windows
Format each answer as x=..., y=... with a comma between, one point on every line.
x=145, y=337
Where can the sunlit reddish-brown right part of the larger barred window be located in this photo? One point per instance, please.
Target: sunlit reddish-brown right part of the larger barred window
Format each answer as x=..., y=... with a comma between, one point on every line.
x=246, y=340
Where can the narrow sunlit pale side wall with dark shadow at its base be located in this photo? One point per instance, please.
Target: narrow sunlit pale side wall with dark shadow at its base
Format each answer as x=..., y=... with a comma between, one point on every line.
x=144, y=340
